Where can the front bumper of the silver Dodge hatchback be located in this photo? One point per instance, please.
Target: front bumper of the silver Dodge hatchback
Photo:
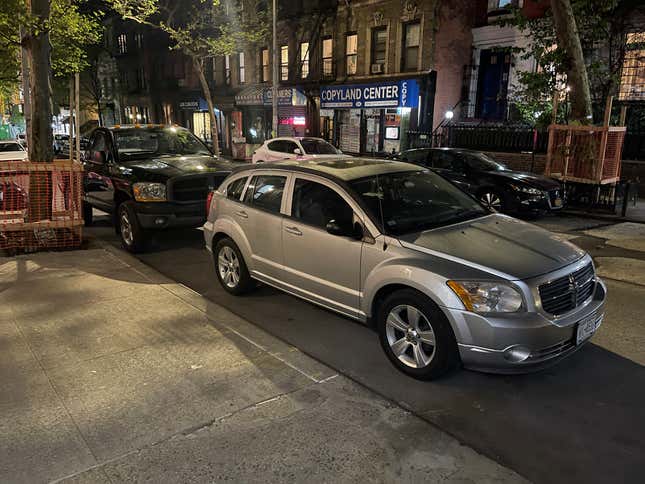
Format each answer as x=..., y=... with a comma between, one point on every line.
x=491, y=343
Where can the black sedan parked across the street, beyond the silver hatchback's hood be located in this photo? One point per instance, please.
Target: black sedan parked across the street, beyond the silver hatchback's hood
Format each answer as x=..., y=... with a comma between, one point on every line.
x=493, y=183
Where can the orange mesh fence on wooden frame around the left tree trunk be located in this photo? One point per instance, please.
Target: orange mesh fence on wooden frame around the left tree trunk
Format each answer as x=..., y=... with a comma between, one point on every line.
x=40, y=205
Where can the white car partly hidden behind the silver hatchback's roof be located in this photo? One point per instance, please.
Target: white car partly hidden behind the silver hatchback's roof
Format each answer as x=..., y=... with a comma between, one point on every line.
x=278, y=149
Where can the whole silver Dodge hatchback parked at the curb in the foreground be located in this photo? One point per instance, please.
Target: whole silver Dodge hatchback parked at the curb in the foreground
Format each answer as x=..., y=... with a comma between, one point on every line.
x=443, y=280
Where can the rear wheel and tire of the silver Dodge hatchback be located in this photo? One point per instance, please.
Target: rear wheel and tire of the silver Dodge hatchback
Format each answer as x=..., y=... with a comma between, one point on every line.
x=231, y=269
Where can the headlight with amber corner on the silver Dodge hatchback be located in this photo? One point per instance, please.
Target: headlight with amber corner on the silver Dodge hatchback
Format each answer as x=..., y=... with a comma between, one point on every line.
x=487, y=297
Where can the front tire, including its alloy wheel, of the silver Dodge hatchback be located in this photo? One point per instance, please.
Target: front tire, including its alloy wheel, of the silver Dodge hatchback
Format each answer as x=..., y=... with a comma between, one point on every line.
x=419, y=340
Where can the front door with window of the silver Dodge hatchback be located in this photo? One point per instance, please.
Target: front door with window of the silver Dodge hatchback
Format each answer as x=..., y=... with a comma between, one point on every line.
x=319, y=266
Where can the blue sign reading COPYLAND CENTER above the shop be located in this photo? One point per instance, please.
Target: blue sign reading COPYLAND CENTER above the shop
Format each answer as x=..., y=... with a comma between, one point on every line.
x=394, y=94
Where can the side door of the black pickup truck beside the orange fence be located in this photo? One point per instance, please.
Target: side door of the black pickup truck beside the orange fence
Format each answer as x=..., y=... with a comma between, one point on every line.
x=99, y=190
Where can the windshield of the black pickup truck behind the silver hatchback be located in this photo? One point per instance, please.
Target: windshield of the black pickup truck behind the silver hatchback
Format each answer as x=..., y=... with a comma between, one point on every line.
x=136, y=143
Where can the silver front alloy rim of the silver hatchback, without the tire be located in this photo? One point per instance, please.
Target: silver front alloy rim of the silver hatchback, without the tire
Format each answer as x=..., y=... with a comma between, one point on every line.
x=410, y=336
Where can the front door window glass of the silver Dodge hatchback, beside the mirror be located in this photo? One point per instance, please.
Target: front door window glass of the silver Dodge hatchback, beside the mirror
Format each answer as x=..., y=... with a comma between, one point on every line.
x=316, y=204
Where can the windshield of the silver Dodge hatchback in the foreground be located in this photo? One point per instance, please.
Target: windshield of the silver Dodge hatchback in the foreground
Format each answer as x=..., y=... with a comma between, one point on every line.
x=413, y=201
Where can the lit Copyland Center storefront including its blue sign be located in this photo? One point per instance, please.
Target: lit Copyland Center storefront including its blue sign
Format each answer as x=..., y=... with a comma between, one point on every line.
x=371, y=118
